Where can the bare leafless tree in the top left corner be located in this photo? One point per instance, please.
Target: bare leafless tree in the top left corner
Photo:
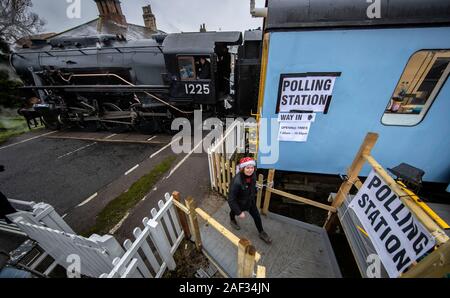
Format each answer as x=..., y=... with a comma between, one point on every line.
x=17, y=21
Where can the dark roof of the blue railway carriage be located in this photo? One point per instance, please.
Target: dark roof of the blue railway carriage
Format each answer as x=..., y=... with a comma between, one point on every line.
x=290, y=14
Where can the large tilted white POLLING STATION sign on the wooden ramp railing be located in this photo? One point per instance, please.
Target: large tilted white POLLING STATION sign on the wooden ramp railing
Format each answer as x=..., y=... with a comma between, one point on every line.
x=397, y=236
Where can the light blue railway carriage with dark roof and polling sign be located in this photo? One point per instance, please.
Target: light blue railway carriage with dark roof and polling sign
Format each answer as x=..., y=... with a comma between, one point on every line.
x=359, y=66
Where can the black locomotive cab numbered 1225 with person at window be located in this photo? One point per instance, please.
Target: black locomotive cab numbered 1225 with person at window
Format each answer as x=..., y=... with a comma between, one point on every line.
x=199, y=66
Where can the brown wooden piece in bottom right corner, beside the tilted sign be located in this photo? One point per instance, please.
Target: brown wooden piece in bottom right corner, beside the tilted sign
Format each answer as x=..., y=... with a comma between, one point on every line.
x=435, y=265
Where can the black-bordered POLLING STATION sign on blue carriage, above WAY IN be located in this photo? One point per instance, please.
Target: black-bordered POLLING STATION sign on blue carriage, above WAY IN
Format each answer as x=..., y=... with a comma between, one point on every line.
x=307, y=92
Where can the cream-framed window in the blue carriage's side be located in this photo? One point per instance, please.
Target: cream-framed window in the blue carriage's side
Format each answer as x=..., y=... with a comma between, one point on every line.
x=420, y=83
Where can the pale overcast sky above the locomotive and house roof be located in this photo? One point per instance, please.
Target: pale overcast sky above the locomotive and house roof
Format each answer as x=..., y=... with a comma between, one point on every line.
x=171, y=15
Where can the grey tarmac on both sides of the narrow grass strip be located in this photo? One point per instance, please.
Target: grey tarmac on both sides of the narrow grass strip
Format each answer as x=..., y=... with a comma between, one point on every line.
x=79, y=177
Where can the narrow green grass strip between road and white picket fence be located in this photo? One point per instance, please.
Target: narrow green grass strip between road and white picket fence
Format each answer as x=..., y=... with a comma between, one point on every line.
x=117, y=208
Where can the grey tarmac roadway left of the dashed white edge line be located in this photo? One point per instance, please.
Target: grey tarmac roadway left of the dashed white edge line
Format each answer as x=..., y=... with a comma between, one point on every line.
x=64, y=172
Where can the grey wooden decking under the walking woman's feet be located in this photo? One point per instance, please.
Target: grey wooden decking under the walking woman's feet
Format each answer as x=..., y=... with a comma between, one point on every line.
x=298, y=249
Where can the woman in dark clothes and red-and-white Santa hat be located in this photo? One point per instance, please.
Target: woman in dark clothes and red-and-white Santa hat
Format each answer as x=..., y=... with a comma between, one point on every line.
x=242, y=197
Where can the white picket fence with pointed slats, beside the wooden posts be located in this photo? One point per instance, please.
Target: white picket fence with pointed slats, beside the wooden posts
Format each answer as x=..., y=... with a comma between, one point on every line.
x=152, y=251
